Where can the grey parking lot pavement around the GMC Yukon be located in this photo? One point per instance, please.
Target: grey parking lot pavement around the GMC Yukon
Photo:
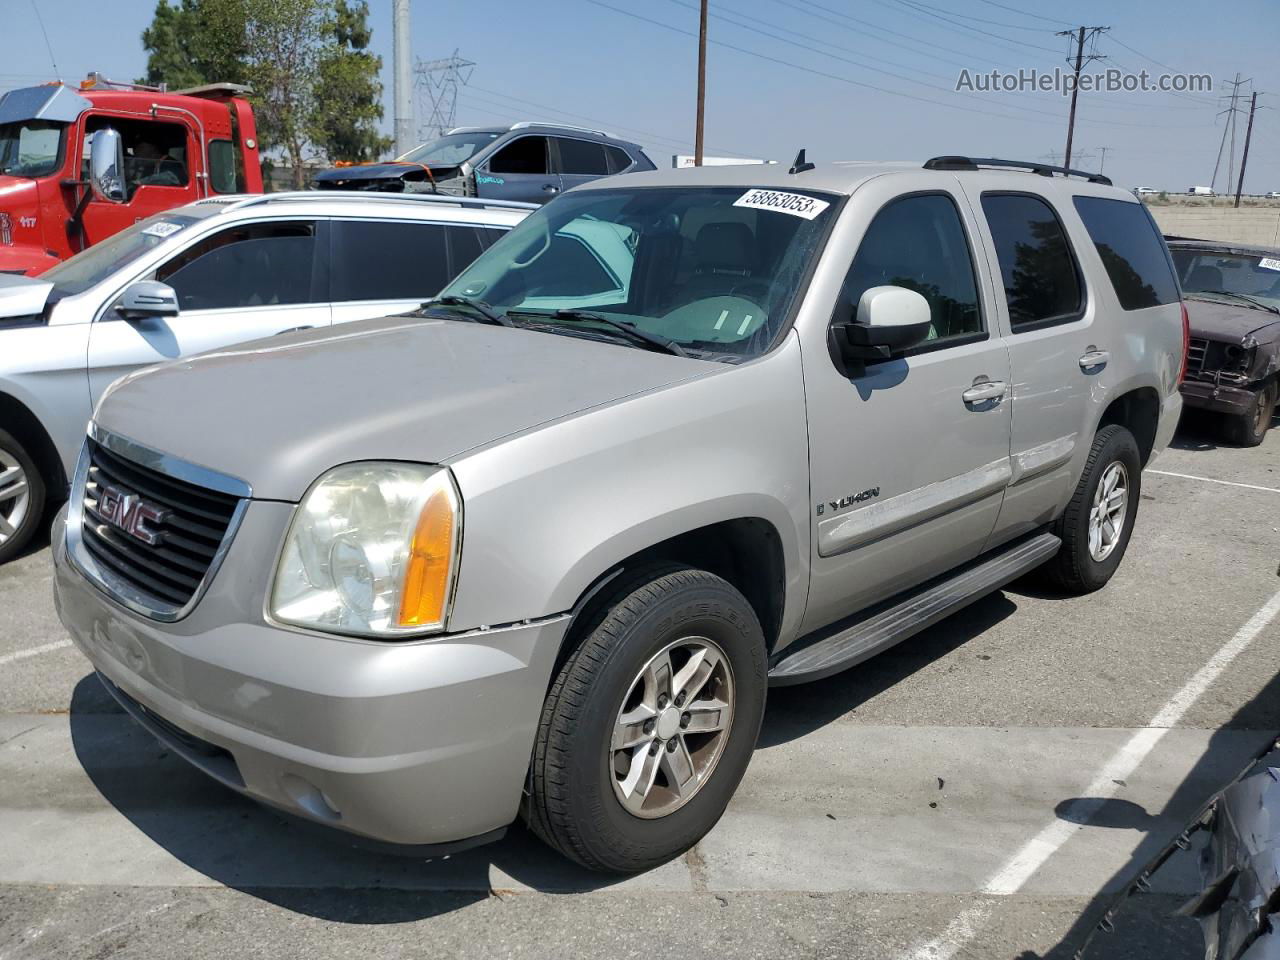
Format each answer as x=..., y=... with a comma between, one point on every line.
x=980, y=792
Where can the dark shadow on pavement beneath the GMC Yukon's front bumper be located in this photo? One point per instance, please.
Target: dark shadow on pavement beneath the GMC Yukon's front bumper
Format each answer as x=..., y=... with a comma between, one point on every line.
x=281, y=860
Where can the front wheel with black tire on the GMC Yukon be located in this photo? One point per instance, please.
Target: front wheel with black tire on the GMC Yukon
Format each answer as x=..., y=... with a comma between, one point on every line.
x=578, y=779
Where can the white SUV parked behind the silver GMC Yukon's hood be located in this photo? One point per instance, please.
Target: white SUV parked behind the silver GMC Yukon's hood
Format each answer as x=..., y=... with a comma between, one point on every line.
x=202, y=277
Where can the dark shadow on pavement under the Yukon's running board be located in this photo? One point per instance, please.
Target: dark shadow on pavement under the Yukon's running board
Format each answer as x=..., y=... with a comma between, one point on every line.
x=794, y=712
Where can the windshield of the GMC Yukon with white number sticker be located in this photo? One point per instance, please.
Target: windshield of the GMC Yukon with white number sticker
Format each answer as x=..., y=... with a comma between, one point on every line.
x=715, y=271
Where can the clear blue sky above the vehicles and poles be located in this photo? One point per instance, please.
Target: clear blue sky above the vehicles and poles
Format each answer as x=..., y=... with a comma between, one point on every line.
x=845, y=79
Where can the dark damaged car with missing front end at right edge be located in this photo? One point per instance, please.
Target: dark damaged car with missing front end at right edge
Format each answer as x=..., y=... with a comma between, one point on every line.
x=1233, y=300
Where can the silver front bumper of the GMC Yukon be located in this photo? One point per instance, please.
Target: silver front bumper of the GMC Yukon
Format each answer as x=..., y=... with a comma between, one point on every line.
x=423, y=743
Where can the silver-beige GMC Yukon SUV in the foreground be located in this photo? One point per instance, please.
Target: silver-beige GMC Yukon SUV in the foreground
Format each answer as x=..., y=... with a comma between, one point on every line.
x=541, y=547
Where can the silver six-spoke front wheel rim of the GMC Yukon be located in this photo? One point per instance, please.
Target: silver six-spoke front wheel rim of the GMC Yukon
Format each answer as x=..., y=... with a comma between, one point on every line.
x=671, y=728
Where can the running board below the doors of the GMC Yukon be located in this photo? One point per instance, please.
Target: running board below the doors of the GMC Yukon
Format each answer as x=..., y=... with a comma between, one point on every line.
x=938, y=601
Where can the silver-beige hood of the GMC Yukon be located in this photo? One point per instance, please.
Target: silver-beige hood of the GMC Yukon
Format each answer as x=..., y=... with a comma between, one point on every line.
x=280, y=413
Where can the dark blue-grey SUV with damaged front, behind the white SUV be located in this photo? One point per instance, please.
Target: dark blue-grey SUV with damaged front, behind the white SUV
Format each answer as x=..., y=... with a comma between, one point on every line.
x=529, y=162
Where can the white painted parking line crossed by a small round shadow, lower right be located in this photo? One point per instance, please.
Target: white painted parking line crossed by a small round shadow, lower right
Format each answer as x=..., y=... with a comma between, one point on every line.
x=1023, y=865
